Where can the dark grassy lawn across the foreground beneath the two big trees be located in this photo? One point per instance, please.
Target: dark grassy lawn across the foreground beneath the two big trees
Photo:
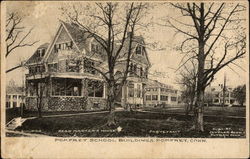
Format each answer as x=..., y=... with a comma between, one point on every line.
x=136, y=124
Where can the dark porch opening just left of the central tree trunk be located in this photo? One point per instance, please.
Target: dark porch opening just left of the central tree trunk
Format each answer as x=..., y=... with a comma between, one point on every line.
x=95, y=88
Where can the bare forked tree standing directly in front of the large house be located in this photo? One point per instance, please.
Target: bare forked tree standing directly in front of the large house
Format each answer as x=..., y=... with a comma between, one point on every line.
x=109, y=24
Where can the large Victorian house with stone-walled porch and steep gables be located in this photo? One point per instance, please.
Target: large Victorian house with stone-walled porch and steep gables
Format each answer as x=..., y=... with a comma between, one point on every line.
x=61, y=73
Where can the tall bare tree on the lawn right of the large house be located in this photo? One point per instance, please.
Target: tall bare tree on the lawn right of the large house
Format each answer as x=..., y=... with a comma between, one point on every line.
x=214, y=35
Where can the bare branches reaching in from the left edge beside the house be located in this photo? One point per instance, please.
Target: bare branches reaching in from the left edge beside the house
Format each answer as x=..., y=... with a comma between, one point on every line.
x=16, y=35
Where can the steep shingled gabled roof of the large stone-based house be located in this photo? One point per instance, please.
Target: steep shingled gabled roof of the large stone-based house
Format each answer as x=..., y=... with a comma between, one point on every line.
x=80, y=39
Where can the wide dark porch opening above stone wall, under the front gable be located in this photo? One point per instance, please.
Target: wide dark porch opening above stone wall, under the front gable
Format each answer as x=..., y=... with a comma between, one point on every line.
x=66, y=87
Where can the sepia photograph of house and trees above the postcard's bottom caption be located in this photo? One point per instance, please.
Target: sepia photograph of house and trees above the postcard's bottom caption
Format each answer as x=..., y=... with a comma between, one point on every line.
x=137, y=69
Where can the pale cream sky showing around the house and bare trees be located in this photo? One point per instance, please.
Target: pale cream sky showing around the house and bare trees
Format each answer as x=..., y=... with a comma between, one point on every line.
x=44, y=17
